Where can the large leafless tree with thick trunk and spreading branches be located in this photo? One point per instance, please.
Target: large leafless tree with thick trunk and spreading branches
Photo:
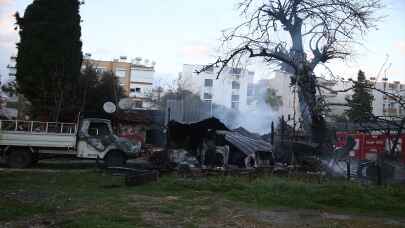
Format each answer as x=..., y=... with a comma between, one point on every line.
x=300, y=35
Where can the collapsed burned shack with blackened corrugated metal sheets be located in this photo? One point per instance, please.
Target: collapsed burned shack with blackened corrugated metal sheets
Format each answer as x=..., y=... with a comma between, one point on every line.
x=214, y=145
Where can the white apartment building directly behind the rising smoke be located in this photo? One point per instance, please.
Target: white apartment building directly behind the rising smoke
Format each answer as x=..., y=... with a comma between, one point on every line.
x=229, y=90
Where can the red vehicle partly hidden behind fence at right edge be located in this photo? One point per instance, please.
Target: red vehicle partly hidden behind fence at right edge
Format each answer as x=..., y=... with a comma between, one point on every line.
x=369, y=145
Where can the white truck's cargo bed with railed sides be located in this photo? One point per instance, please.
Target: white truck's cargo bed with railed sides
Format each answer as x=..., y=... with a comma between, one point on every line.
x=37, y=134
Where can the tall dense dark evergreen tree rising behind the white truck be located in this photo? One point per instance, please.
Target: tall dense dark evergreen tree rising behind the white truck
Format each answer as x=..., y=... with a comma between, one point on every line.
x=49, y=56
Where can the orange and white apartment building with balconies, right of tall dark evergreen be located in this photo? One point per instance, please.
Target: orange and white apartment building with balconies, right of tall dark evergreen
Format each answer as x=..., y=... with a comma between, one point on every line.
x=136, y=77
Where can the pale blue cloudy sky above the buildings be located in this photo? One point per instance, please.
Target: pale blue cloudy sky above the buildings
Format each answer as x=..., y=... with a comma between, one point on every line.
x=177, y=32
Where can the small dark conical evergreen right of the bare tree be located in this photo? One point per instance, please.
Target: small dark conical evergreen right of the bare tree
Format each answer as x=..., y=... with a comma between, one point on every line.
x=361, y=102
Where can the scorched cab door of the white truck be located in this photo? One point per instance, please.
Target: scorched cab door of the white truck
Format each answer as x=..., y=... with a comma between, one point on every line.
x=94, y=139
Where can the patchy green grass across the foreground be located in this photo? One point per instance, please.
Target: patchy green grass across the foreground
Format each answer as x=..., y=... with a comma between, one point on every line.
x=94, y=199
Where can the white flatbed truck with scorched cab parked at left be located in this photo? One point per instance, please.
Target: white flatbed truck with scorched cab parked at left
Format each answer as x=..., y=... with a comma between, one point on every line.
x=23, y=143
